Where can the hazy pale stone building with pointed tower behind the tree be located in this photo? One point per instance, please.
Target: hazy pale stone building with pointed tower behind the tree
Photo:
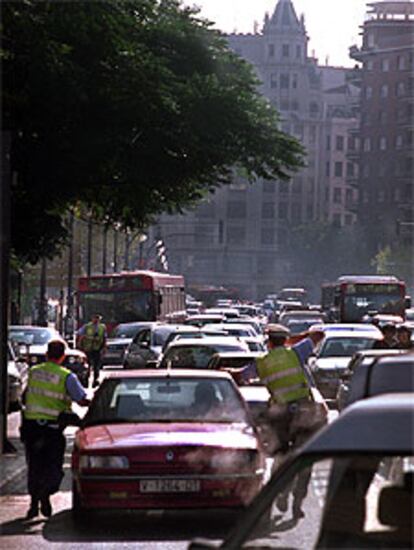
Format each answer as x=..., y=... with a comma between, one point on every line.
x=239, y=237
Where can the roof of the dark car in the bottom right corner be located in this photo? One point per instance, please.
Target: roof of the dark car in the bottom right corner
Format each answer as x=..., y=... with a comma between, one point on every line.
x=370, y=425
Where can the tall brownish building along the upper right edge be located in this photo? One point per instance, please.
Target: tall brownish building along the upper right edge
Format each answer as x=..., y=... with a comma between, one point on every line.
x=386, y=179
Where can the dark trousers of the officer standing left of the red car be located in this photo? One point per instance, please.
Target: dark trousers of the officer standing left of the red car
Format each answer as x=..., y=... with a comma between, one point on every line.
x=45, y=451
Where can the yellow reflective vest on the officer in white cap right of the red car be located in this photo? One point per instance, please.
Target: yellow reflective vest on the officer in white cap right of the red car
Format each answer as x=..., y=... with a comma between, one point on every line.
x=281, y=372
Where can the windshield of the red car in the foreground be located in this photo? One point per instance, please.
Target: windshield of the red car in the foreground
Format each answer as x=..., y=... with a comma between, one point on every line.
x=160, y=399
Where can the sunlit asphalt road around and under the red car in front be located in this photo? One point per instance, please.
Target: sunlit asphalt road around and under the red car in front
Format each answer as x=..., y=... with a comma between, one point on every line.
x=154, y=530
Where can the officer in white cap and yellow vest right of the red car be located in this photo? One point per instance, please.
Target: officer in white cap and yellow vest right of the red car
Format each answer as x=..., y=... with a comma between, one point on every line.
x=293, y=414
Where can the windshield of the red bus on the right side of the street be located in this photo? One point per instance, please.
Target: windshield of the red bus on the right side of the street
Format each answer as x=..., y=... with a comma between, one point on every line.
x=360, y=300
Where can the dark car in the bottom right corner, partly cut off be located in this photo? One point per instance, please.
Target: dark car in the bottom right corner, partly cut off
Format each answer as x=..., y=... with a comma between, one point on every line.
x=359, y=472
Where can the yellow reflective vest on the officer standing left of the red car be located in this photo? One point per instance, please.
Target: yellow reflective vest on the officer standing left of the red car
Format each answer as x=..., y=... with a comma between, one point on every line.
x=46, y=395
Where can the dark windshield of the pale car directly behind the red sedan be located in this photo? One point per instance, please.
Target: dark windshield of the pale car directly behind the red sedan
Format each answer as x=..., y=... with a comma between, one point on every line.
x=194, y=356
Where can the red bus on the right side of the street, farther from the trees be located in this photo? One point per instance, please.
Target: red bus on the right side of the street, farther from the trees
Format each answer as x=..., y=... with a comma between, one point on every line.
x=351, y=298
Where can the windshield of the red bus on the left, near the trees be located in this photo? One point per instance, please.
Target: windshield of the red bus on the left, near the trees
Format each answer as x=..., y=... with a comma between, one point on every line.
x=117, y=307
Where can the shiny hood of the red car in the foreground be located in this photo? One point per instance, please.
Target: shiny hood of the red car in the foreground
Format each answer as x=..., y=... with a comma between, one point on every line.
x=117, y=436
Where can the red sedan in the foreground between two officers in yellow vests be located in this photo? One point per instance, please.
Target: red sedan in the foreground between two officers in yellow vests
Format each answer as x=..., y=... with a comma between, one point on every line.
x=166, y=439
